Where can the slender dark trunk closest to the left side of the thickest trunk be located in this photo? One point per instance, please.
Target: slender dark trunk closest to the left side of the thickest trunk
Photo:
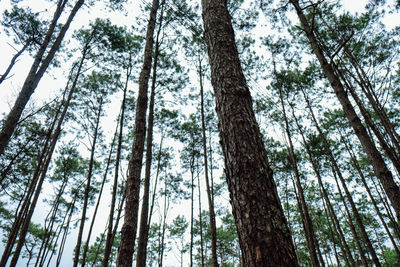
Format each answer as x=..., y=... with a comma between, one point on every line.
x=213, y=227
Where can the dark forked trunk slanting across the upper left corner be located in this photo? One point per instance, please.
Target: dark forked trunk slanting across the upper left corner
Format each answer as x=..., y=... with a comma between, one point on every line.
x=36, y=73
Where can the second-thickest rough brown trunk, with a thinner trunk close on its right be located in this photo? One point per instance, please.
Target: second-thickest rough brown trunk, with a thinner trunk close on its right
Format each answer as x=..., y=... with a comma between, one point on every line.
x=129, y=228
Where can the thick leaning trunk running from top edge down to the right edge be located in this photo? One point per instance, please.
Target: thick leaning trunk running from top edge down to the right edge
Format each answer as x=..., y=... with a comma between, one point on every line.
x=381, y=171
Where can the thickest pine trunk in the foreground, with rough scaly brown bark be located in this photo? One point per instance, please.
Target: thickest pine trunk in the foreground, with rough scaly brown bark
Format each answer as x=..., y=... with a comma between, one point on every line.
x=264, y=236
